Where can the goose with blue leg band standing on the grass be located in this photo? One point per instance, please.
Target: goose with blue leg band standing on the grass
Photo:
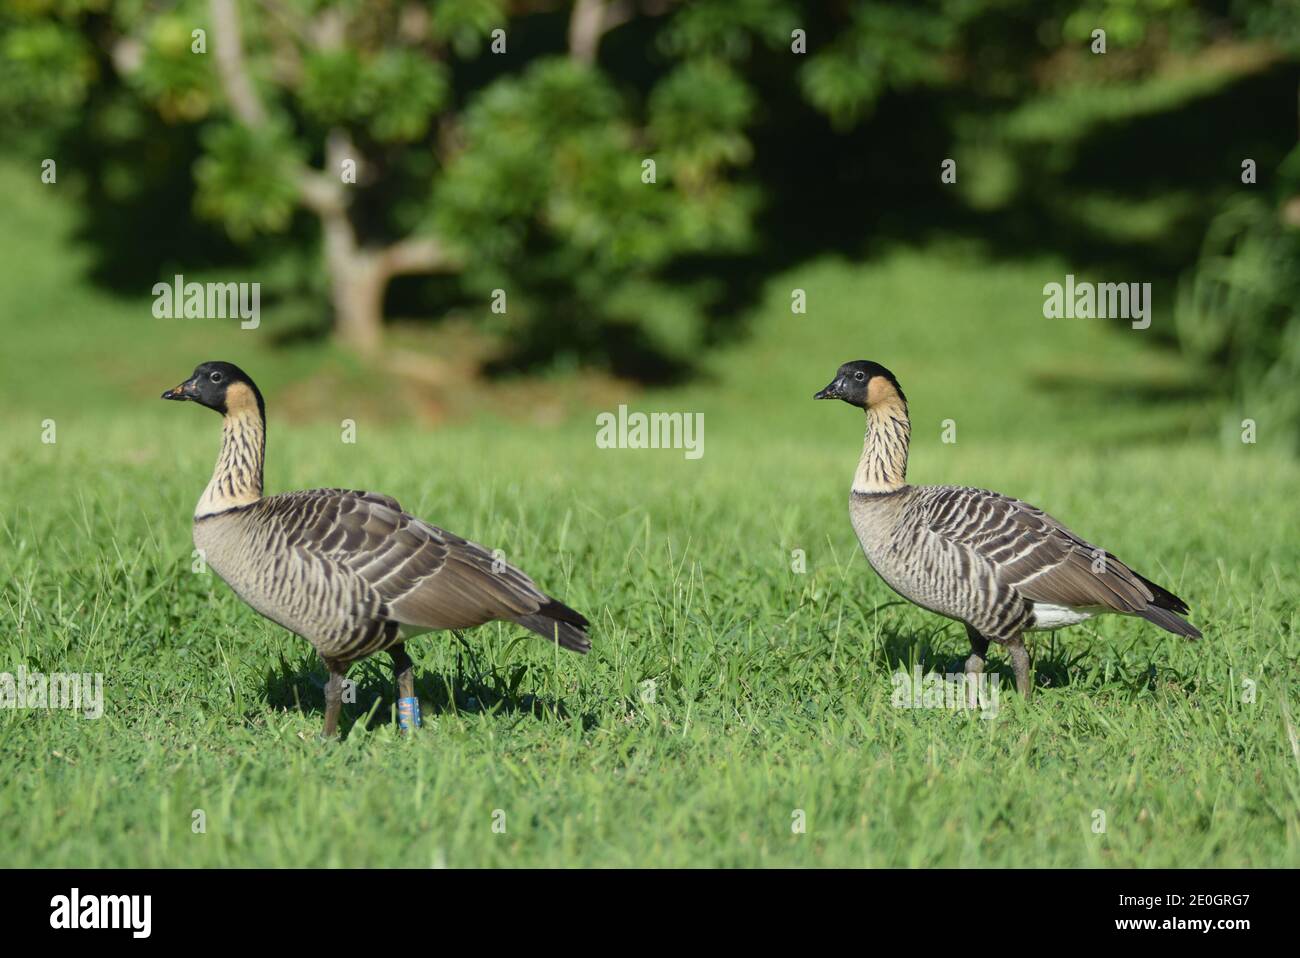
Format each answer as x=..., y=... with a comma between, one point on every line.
x=348, y=571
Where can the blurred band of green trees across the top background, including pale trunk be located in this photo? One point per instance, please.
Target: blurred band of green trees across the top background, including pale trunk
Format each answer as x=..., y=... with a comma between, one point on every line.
x=509, y=144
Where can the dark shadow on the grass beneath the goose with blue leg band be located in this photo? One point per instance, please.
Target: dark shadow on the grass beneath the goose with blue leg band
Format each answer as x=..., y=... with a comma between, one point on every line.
x=300, y=686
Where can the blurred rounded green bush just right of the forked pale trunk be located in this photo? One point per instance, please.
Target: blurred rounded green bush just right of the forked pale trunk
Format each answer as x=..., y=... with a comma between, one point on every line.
x=548, y=194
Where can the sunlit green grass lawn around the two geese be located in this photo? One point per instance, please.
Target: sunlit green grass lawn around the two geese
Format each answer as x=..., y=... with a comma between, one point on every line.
x=773, y=690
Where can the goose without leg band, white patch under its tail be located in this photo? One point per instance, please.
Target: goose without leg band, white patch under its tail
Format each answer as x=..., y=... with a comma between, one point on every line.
x=996, y=565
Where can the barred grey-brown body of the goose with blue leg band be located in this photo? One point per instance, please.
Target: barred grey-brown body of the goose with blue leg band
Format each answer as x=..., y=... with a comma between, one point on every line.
x=354, y=574
